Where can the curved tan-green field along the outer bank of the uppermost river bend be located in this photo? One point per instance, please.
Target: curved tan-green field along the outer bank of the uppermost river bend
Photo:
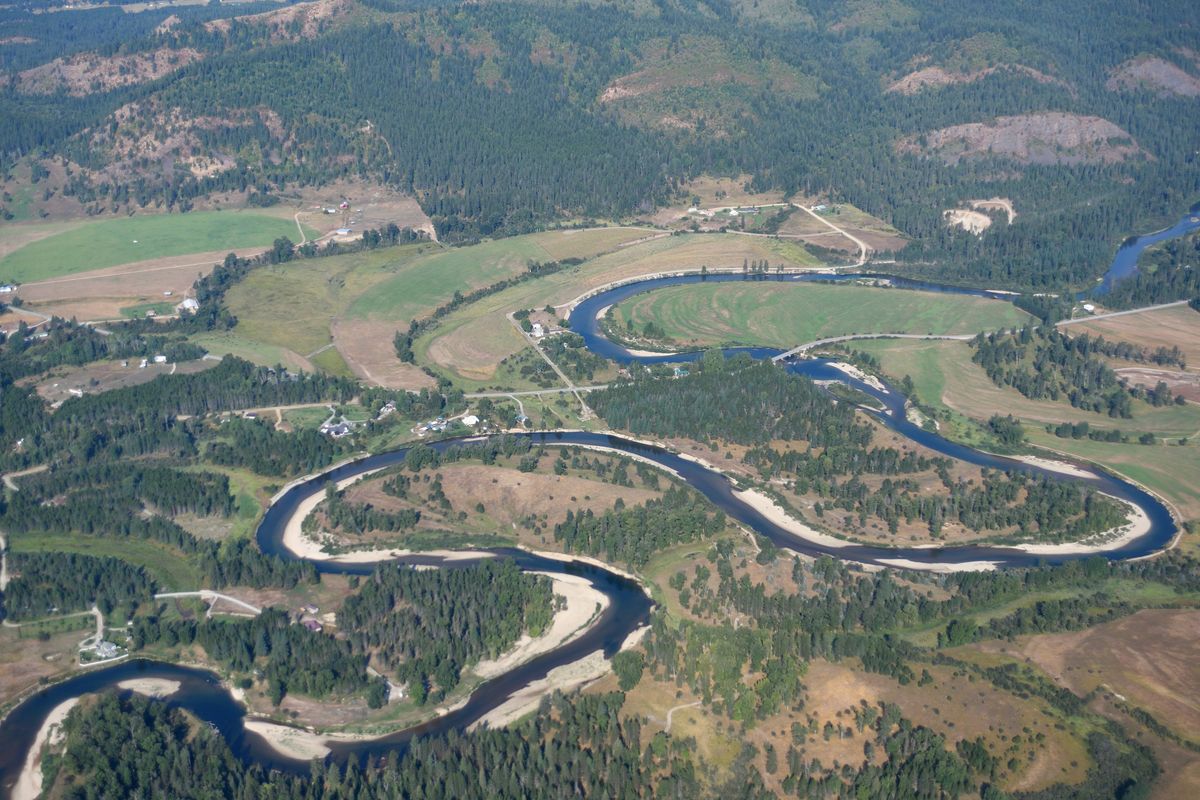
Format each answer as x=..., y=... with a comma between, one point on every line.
x=470, y=342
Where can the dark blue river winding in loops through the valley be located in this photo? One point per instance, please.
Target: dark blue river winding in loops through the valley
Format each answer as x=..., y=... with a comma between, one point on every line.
x=629, y=607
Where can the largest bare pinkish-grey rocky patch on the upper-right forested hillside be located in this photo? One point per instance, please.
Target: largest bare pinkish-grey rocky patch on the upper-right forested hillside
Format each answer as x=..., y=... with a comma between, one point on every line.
x=1046, y=139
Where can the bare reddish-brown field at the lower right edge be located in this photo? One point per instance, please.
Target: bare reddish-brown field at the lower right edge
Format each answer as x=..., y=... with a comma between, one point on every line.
x=1149, y=658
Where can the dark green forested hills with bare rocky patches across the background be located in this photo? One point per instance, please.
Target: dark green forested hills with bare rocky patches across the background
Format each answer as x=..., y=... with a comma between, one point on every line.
x=505, y=116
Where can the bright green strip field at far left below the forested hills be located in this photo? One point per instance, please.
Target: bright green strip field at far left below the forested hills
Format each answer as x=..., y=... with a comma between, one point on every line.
x=111, y=243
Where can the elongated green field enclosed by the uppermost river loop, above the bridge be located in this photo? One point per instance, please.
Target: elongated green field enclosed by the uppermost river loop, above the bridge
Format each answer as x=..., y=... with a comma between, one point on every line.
x=784, y=315
